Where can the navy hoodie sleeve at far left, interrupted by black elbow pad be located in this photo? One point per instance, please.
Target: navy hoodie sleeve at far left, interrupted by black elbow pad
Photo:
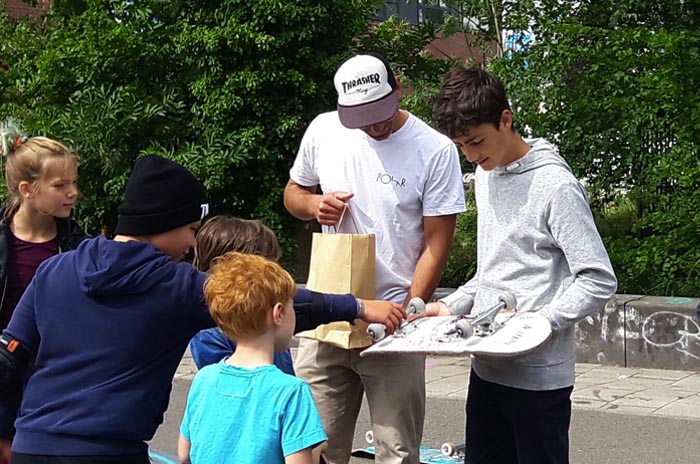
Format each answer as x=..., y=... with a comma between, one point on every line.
x=22, y=328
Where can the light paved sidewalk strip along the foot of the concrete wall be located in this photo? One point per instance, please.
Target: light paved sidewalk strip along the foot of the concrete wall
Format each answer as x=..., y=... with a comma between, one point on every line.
x=643, y=392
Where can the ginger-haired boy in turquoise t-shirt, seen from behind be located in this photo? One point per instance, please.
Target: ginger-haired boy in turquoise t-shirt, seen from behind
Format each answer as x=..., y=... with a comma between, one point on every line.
x=244, y=409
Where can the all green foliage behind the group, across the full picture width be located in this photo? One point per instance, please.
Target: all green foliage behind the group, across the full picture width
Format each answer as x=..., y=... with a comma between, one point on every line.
x=227, y=87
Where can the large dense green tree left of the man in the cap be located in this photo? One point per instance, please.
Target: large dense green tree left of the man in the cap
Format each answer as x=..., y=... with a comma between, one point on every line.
x=225, y=87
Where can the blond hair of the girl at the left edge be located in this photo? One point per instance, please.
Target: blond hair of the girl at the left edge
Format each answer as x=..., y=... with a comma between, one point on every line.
x=30, y=160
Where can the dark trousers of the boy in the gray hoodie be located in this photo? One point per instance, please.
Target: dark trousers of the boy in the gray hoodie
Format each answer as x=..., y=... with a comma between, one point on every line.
x=508, y=425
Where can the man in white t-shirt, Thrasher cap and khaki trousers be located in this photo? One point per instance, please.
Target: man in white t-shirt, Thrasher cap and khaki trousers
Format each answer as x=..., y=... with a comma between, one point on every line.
x=403, y=183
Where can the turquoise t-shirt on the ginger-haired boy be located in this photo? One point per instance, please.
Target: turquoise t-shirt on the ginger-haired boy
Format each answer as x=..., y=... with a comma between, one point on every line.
x=239, y=416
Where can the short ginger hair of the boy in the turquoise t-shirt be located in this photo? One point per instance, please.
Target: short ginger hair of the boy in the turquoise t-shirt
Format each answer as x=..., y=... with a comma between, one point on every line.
x=242, y=289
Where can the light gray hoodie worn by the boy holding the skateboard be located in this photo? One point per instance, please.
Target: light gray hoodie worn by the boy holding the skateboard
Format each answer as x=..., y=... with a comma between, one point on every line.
x=536, y=238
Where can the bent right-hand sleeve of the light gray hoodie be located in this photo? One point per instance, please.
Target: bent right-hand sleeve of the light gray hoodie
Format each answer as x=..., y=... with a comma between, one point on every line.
x=574, y=231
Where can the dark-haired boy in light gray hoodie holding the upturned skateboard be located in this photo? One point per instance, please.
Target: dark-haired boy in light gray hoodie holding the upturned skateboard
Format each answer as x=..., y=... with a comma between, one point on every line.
x=535, y=238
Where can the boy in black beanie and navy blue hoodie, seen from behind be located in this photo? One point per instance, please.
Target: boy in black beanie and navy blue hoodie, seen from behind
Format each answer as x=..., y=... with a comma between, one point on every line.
x=107, y=325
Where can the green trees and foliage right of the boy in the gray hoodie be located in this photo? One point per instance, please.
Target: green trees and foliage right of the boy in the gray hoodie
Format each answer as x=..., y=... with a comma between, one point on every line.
x=613, y=84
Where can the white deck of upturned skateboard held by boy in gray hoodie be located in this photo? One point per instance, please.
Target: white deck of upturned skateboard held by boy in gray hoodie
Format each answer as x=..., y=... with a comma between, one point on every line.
x=520, y=333
